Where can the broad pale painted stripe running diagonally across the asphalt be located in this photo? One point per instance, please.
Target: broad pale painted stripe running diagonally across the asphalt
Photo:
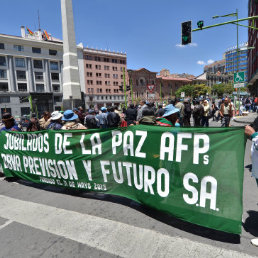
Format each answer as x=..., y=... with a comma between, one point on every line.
x=106, y=235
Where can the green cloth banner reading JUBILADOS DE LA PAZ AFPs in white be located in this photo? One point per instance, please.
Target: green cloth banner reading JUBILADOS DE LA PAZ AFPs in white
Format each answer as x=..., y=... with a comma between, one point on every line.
x=195, y=174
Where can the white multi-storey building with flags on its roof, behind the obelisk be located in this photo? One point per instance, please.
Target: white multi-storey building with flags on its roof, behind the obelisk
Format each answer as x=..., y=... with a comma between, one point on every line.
x=32, y=66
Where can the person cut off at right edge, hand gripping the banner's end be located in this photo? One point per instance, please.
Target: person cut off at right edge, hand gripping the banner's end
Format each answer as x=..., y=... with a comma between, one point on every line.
x=249, y=131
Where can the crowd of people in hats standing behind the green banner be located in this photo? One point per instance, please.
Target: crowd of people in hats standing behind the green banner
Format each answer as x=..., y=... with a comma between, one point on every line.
x=176, y=113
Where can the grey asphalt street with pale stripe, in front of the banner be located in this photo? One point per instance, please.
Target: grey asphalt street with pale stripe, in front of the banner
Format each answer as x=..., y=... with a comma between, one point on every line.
x=44, y=221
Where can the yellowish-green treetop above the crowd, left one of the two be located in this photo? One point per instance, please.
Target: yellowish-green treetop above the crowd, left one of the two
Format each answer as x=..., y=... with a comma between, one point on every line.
x=194, y=90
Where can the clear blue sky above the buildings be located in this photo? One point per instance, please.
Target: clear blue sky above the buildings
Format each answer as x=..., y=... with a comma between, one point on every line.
x=147, y=30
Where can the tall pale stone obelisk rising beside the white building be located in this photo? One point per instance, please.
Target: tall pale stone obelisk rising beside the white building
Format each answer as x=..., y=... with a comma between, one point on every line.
x=71, y=79
